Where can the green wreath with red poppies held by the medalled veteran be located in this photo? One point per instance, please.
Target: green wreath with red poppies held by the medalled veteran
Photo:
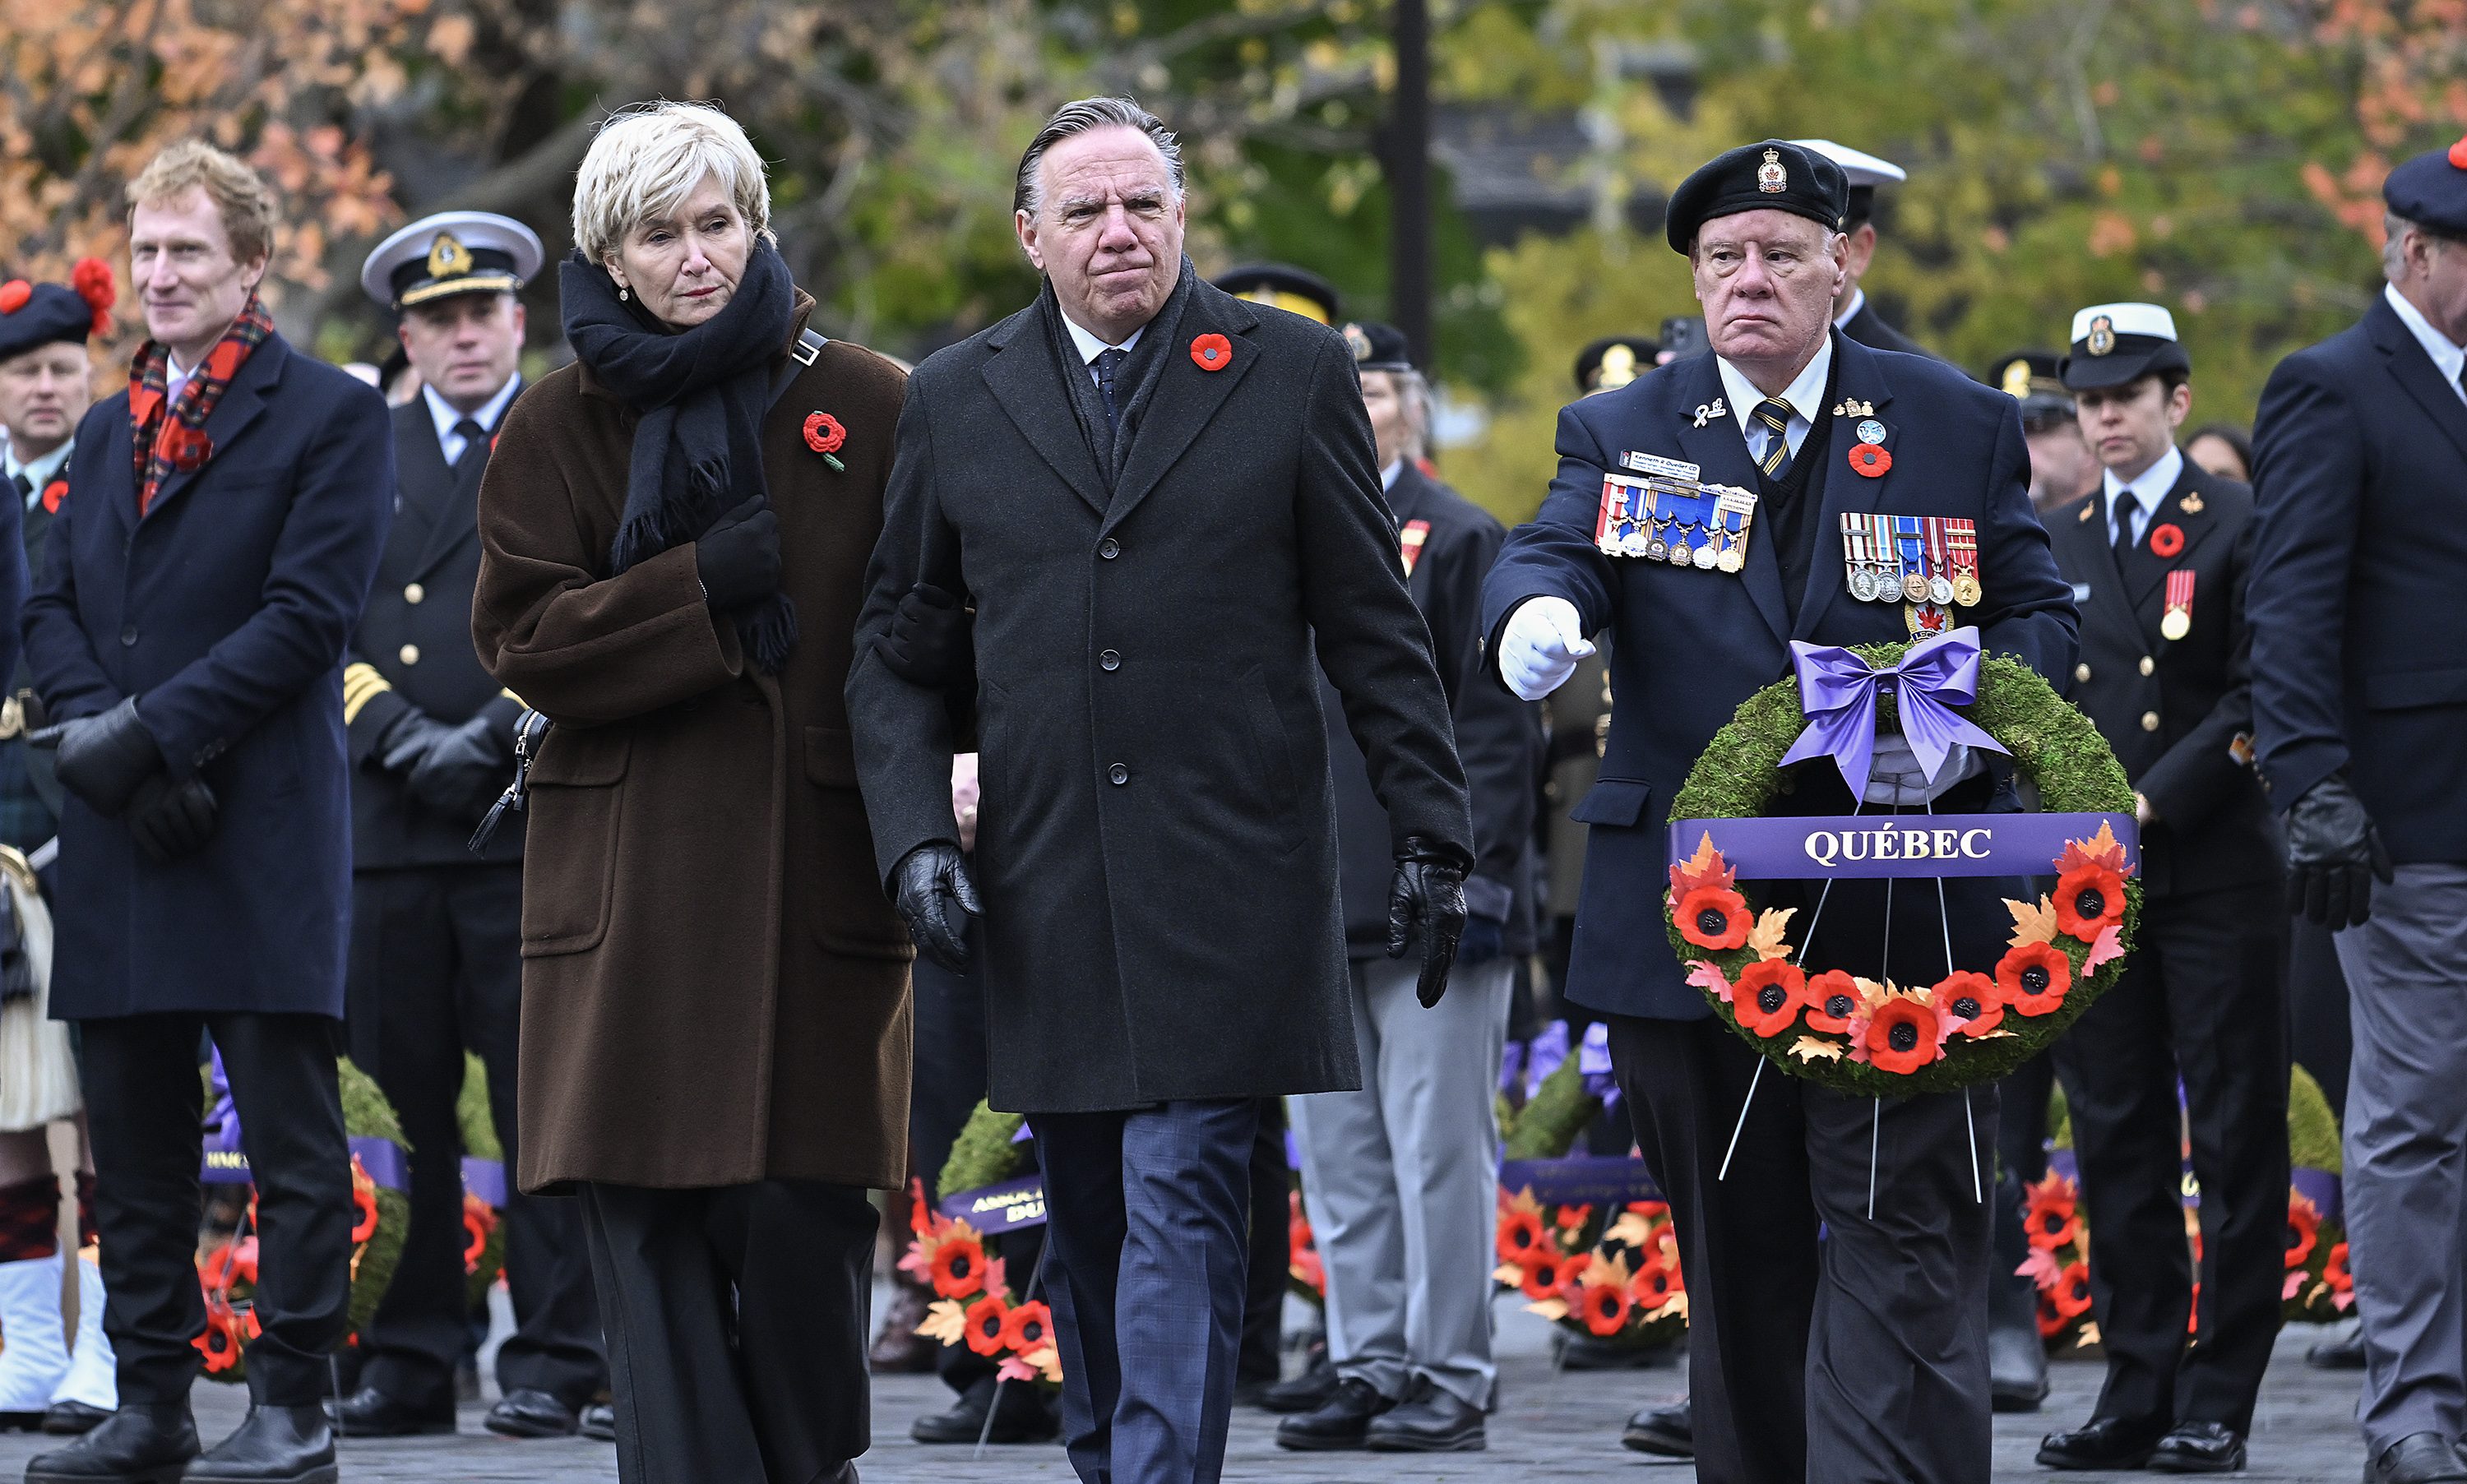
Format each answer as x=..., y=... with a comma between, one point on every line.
x=1886, y=1039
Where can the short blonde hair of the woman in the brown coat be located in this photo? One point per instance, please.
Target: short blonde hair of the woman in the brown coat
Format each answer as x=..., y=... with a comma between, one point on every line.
x=648, y=161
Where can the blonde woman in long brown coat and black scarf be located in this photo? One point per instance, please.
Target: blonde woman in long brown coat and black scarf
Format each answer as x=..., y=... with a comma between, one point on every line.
x=714, y=1034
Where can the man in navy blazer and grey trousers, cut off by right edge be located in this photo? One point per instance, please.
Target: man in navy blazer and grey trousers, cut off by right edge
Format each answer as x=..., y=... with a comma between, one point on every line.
x=2360, y=719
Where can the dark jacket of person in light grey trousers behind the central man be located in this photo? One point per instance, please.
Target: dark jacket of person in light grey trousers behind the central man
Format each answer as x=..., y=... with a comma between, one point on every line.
x=1496, y=733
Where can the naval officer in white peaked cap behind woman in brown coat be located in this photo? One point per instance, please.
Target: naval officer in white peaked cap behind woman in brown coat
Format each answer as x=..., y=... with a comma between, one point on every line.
x=438, y=931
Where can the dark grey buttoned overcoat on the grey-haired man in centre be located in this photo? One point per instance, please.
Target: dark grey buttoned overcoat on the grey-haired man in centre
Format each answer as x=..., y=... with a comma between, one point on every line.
x=1156, y=842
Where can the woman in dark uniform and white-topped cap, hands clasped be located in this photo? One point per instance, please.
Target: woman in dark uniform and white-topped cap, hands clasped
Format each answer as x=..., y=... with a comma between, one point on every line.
x=2157, y=558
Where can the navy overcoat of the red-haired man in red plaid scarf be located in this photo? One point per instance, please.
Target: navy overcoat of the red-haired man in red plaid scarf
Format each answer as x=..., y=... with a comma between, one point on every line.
x=226, y=613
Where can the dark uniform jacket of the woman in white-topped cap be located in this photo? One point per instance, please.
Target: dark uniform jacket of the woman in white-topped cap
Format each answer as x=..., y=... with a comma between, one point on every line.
x=2177, y=711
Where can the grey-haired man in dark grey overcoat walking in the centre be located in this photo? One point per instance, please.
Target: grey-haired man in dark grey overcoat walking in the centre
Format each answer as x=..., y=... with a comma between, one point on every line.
x=1163, y=507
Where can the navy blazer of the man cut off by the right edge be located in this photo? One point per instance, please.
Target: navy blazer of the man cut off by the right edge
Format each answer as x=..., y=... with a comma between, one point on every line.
x=2360, y=457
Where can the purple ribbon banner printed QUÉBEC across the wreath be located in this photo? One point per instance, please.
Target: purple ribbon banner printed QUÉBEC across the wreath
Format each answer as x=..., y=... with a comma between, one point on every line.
x=1822, y=847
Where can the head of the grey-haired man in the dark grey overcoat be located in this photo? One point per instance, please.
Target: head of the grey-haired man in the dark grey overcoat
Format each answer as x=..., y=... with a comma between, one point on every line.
x=1106, y=228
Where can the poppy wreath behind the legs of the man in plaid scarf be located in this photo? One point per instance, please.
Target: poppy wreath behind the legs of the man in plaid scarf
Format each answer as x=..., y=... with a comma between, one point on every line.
x=381, y=1219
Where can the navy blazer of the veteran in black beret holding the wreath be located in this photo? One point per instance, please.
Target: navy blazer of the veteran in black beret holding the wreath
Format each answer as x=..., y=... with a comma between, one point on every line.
x=1694, y=645
